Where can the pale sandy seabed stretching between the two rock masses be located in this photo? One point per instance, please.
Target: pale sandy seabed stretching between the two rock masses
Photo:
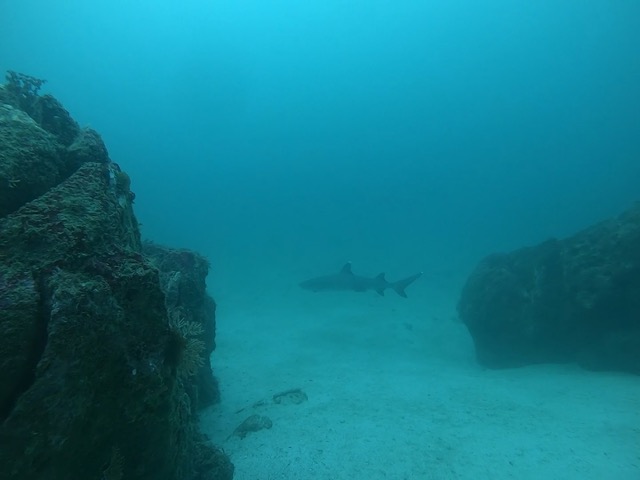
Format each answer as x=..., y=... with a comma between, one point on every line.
x=394, y=392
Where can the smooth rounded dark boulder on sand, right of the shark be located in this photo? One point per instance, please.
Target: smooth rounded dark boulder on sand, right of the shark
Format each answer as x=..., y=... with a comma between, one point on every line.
x=571, y=300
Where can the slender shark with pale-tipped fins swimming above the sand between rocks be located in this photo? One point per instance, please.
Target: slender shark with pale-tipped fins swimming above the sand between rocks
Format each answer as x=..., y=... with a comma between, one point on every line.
x=346, y=280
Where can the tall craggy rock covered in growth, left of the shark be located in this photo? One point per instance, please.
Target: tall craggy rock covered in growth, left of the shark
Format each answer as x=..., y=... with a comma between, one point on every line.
x=102, y=341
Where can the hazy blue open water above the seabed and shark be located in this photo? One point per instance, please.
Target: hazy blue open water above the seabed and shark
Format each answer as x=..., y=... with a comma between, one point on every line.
x=410, y=130
